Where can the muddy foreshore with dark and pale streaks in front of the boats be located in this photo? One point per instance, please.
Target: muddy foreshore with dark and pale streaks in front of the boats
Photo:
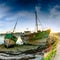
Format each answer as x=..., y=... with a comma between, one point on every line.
x=17, y=54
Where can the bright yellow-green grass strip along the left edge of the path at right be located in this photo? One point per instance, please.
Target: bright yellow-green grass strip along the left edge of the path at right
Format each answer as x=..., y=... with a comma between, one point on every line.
x=52, y=52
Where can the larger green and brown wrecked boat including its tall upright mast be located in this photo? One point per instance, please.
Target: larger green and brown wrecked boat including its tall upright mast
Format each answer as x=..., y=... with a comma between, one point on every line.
x=35, y=38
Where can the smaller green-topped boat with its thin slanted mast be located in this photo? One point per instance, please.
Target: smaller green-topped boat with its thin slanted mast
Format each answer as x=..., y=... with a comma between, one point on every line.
x=10, y=39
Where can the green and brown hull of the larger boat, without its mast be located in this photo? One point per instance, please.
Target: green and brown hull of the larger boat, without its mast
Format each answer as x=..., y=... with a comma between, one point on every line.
x=35, y=38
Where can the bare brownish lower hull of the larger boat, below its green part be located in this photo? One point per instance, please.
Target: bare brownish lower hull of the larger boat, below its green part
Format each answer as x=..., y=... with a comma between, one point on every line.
x=35, y=42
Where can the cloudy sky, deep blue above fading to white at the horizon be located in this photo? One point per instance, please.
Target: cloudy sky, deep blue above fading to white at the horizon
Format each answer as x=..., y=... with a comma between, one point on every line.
x=23, y=10
